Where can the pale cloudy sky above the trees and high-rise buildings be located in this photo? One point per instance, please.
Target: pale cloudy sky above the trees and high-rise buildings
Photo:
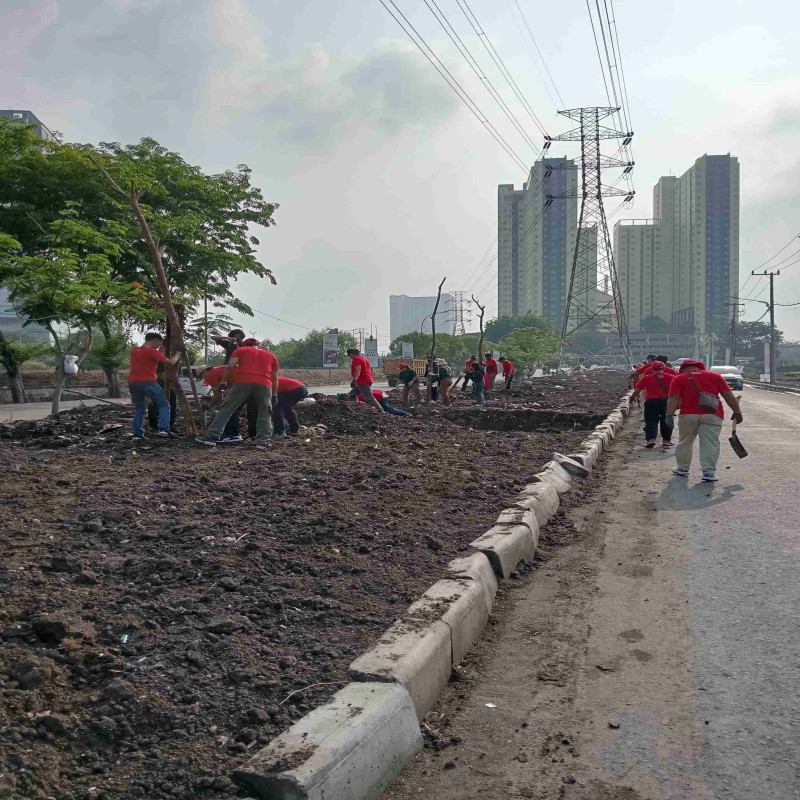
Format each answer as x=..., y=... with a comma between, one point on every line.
x=386, y=182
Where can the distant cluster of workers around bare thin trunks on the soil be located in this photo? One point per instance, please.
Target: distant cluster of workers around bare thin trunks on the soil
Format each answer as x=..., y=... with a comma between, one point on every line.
x=442, y=384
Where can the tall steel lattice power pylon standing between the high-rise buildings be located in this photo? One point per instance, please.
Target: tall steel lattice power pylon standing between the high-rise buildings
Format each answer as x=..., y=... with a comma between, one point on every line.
x=594, y=300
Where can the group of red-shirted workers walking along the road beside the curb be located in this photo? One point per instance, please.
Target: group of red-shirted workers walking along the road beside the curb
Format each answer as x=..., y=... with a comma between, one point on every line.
x=694, y=390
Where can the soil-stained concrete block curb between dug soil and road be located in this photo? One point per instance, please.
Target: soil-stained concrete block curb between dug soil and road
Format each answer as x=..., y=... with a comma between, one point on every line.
x=352, y=747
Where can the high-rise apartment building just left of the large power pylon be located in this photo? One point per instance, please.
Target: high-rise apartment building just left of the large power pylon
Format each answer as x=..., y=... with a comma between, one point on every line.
x=536, y=241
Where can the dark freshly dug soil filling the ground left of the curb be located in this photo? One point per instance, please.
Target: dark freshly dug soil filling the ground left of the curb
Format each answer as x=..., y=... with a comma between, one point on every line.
x=166, y=609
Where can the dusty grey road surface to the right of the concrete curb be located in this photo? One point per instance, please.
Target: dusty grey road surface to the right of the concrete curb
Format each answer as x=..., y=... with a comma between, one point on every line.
x=654, y=652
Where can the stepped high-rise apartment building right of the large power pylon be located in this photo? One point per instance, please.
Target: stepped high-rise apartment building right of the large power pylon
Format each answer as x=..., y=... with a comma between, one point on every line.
x=679, y=270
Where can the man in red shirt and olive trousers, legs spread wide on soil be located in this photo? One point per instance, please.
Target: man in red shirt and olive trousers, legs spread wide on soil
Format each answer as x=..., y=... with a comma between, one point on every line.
x=253, y=373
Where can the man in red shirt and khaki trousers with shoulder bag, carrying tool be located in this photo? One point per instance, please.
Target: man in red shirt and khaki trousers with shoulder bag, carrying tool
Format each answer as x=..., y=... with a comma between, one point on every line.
x=695, y=391
